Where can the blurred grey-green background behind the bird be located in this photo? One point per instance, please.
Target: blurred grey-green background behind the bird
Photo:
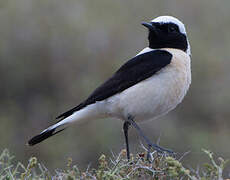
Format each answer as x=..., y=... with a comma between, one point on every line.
x=53, y=53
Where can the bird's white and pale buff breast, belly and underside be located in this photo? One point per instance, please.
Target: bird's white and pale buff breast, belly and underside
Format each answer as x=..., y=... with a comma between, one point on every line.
x=146, y=100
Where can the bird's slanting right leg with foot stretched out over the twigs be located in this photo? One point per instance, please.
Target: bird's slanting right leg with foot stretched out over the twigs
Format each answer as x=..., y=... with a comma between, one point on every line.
x=150, y=145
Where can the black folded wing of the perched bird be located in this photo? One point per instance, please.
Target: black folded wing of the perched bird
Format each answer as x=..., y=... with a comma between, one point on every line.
x=135, y=70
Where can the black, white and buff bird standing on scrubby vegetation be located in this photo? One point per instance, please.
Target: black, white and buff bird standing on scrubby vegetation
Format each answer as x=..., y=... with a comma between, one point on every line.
x=146, y=87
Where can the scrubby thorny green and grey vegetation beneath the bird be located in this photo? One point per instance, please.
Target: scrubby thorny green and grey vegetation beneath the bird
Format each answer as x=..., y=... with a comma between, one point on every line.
x=116, y=168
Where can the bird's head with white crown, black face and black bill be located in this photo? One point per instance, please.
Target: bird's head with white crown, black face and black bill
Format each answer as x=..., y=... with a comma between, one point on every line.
x=167, y=32
